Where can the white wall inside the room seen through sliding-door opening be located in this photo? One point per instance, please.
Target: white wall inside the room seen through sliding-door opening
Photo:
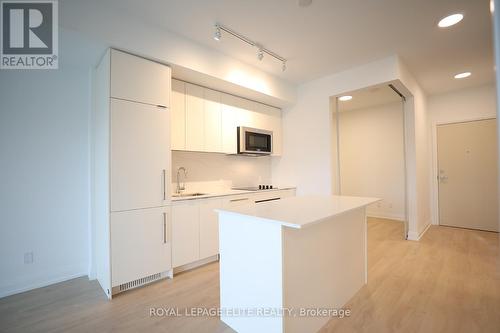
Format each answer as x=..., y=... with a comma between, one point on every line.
x=372, y=157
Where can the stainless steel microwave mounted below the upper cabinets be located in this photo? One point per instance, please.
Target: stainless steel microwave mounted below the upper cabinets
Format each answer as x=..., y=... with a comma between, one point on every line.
x=254, y=142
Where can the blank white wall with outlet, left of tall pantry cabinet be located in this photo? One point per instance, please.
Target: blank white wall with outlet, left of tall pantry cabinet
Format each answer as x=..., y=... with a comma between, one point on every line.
x=44, y=194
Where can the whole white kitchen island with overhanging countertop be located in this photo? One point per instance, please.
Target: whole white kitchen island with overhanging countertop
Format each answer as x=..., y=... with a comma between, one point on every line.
x=282, y=258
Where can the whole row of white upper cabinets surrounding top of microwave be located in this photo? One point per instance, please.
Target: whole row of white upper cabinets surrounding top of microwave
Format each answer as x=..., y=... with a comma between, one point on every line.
x=207, y=120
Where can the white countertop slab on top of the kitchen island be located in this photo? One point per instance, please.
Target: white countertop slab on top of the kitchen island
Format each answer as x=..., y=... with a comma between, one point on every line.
x=302, y=211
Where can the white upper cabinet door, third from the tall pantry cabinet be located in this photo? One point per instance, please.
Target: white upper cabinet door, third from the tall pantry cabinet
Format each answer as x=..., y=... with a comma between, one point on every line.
x=213, y=121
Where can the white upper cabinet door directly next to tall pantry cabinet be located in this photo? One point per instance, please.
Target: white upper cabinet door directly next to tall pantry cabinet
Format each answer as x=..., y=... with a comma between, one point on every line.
x=178, y=120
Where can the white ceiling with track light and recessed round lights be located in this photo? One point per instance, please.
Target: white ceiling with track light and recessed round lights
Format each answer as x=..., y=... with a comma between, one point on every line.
x=334, y=35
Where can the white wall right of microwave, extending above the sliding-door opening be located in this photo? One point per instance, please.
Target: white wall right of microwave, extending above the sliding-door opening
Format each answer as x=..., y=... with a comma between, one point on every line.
x=307, y=127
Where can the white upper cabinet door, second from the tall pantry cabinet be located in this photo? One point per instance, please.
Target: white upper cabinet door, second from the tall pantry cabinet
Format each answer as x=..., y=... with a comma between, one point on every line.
x=195, y=118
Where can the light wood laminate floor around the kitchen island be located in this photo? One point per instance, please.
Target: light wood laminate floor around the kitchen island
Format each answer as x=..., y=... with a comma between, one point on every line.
x=447, y=282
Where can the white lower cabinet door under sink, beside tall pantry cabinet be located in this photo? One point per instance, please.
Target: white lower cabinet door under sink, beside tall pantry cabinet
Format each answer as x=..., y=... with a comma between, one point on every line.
x=185, y=233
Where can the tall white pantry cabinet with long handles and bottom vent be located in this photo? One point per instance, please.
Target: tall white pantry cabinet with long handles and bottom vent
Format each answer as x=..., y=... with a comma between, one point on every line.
x=131, y=177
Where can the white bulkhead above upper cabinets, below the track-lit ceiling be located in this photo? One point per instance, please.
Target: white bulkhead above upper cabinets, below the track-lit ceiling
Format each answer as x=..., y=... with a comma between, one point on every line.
x=99, y=21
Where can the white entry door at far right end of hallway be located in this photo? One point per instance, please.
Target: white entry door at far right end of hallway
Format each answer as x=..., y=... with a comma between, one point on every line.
x=467, y=175
